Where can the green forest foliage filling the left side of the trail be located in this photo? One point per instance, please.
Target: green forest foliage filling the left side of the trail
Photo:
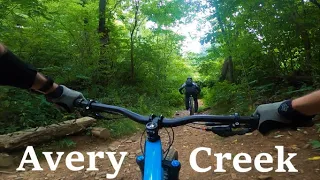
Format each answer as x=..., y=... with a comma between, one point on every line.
x=60, y=39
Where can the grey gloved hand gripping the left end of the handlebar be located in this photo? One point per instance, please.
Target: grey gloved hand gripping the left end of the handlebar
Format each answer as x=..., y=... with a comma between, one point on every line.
x=64, y=97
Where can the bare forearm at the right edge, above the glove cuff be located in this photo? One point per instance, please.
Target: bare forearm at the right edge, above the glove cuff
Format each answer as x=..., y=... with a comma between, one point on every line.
x=308, y=104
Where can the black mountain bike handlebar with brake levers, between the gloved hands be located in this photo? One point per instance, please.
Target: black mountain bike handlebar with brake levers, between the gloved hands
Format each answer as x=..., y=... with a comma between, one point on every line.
x=248, y=121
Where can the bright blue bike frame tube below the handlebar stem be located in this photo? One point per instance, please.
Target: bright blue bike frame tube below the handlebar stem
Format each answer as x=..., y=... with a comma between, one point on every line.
x=153, y=161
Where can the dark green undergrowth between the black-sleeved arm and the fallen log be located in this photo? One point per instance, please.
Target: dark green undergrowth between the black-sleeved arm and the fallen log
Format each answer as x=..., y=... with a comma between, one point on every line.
x=21, y=110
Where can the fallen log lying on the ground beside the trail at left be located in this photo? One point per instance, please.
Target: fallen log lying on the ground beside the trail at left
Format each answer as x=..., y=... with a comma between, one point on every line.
x=33, y=136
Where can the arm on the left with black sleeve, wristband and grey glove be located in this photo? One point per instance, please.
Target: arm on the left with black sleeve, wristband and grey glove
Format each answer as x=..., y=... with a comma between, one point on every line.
x=14, y=72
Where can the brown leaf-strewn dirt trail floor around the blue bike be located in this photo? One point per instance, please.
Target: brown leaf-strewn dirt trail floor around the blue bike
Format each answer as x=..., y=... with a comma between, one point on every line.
x=186, y=140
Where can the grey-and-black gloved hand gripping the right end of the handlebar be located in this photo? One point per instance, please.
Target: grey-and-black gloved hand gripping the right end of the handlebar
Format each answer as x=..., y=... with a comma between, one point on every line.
x=280, y=115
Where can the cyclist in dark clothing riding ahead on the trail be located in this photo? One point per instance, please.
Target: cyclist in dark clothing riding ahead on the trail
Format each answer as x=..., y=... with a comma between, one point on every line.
x=193, y=89
